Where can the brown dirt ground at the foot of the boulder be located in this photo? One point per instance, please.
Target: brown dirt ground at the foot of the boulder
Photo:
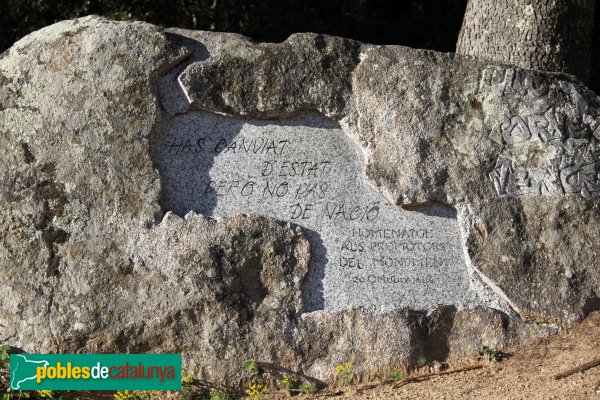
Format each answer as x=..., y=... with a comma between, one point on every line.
x=527, y=374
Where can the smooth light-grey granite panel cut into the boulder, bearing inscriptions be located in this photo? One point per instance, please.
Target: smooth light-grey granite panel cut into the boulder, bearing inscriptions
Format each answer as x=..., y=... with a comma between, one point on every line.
x=308, y=172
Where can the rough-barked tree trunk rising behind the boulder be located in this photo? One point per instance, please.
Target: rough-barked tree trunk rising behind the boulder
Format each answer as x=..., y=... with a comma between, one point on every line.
x=548, y=35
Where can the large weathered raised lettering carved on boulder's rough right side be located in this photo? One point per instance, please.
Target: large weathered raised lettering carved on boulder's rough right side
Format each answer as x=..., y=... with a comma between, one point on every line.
x=547, y=123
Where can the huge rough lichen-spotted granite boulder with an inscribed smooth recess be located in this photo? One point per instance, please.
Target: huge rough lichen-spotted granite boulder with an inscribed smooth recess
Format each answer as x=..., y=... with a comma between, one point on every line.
x=104, y=247
